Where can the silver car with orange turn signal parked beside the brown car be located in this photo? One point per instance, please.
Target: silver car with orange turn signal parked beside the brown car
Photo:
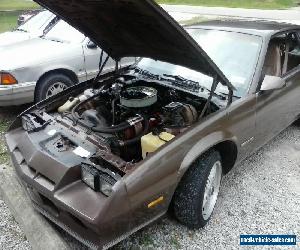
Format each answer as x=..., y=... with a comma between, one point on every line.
x=42, y=67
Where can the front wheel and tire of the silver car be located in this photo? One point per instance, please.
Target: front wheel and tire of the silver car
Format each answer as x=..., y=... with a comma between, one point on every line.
x=51, y=85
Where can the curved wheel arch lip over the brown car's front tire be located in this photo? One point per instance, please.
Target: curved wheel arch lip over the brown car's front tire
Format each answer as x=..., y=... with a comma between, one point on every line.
x=202, y=146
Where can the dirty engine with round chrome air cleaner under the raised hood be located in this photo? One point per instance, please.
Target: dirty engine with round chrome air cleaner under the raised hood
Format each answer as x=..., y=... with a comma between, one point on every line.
x=128, y=113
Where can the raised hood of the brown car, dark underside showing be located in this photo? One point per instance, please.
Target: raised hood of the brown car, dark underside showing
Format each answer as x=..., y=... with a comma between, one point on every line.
x=135, y=28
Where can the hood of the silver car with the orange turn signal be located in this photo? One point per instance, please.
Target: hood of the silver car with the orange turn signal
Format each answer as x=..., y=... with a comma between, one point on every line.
x=35, y=52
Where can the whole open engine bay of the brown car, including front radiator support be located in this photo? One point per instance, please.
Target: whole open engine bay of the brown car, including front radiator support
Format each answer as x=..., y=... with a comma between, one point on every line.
x=127, y=119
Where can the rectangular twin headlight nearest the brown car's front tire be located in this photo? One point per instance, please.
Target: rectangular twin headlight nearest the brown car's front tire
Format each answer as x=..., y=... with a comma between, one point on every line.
x=97, y=180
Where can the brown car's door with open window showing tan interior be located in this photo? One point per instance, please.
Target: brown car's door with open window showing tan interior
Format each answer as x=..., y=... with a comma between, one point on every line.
x=277, y=109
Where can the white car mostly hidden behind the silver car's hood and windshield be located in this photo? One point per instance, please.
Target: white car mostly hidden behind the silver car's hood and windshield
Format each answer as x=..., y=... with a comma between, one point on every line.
x=33, y=27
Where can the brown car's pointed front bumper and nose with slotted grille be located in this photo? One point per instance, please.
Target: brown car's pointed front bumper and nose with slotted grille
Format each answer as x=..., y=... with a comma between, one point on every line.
x=95, y=220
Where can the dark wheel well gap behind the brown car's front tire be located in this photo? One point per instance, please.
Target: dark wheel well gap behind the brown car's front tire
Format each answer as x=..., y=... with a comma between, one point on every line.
x=228, y=152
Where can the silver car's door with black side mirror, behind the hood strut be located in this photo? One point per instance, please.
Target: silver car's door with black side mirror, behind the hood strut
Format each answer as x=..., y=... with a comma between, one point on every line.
x=92, y=55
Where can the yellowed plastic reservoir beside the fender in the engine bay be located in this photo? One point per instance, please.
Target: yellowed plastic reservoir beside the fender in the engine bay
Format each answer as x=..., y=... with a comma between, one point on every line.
x=150, y=143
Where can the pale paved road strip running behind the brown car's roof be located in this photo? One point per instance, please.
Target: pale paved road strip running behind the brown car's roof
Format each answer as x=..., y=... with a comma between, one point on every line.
x=182, y=11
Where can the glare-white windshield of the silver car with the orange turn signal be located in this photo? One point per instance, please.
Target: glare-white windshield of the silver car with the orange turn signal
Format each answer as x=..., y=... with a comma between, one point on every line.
x=63, y=32
